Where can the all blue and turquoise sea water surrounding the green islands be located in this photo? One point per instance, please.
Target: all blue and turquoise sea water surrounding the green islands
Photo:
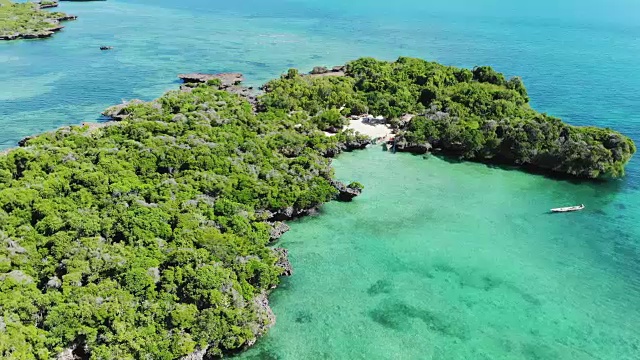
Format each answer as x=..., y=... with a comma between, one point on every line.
x=436, y=260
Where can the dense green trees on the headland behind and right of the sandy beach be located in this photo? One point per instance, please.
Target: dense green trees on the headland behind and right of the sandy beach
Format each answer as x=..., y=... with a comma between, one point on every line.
x=474, y=114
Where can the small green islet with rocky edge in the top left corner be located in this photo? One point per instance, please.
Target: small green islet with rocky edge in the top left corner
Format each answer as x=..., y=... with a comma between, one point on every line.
x=29, y=21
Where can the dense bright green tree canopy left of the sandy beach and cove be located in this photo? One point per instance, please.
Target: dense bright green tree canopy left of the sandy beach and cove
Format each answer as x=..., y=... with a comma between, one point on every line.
x=147, y=238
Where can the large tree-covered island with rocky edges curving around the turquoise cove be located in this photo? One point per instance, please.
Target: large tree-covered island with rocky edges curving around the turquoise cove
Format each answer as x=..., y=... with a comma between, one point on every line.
x=152, y=236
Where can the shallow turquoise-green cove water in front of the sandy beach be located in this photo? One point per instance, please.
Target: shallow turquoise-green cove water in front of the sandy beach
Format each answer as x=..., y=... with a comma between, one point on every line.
x=457, y=261
